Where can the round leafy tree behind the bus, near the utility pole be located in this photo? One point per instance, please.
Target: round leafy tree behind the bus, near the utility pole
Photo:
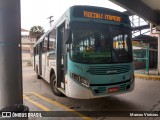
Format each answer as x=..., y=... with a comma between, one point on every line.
x=36, y=32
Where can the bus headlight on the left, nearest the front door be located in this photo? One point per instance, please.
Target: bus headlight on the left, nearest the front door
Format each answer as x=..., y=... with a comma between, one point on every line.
x=82, y=80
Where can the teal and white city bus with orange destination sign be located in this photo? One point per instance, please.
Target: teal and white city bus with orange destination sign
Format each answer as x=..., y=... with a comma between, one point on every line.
x=87, y=53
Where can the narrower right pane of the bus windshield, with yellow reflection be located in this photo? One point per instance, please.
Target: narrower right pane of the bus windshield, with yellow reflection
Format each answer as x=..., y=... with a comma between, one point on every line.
x=122, y=49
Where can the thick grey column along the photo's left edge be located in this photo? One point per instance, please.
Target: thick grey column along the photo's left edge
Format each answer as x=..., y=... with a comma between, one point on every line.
x=10, y=54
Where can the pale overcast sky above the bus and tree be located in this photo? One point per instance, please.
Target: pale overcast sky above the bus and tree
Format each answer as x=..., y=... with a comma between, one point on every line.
x=36, y=12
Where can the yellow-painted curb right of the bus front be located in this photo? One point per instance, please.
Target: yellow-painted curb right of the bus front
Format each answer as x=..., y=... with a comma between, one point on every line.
x=147, y=77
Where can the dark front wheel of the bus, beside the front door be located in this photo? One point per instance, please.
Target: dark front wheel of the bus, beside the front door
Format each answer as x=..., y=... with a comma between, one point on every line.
x=53, y=86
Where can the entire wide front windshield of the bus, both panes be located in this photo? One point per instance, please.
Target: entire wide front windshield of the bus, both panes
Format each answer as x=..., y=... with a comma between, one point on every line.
x=100, y=43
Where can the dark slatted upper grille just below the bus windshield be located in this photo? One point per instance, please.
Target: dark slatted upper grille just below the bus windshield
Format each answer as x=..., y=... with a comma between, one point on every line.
x=108, y=70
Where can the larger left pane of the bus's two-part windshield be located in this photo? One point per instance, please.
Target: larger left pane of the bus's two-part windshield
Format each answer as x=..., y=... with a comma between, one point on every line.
x=90, y=44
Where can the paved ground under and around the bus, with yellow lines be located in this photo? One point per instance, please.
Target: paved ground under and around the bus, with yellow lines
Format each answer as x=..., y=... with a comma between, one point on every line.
x=145, y=97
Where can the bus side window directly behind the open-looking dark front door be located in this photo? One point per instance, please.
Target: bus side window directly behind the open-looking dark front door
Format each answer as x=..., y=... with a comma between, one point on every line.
x=52, y=40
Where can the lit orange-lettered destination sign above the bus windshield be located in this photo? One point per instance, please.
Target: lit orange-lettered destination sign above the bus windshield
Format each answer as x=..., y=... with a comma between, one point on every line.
x=96, y=15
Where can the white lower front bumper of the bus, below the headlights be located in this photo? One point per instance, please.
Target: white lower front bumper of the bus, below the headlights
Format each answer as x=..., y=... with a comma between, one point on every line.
x=76, y=90
